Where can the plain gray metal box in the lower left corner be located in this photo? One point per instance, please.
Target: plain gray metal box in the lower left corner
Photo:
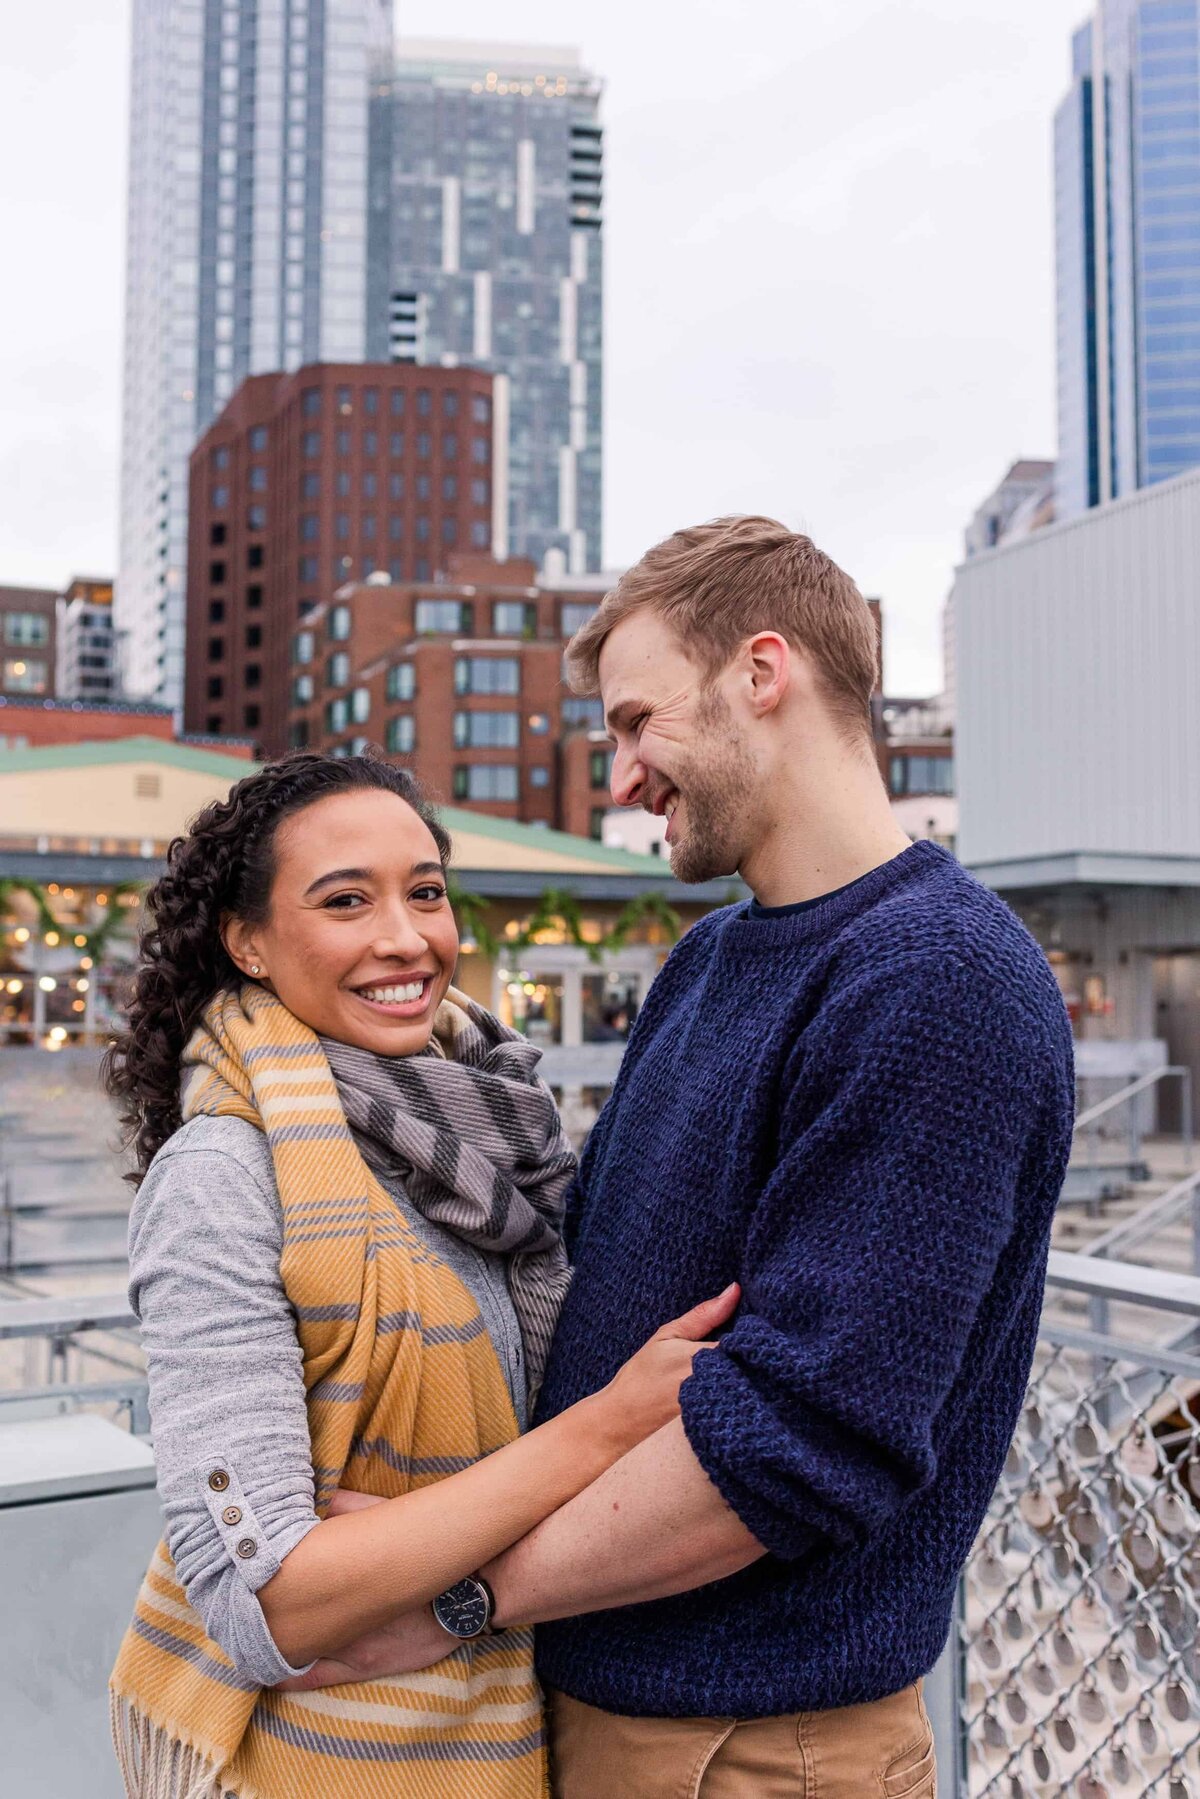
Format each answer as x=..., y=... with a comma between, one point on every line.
x=78, y=1523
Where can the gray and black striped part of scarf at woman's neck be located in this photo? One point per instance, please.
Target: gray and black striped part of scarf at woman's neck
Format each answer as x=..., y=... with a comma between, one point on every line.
x=479, y=1147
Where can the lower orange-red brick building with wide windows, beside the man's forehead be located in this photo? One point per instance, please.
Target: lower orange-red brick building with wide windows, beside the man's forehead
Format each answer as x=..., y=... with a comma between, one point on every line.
x=461, y=679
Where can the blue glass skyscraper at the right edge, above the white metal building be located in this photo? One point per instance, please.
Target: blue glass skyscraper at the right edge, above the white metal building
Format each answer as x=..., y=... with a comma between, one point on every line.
x=1127, y=175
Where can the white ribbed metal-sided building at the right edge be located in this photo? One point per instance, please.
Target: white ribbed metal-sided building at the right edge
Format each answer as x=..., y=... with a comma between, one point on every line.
x=1079, y=755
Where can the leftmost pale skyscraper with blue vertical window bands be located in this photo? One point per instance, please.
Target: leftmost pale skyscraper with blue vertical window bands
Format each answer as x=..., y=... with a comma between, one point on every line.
x=246, y=253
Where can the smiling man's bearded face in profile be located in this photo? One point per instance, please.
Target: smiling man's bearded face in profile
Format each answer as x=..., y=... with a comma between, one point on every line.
x=679, y=749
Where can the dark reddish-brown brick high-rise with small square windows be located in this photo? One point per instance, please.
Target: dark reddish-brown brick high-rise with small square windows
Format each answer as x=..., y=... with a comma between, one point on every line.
x=309, y=481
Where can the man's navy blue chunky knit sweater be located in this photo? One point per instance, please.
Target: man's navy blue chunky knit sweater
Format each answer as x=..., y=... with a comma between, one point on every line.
x=863, y=1113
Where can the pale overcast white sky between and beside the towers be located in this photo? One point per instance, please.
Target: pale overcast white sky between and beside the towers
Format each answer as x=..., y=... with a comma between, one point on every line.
x=828, y=231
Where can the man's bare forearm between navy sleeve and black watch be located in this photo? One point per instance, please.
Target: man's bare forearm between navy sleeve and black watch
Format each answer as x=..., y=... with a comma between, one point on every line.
x=652, y=1526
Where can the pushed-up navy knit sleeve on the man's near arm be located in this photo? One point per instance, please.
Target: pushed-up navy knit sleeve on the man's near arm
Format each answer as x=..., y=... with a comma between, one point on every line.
x=877, y=1237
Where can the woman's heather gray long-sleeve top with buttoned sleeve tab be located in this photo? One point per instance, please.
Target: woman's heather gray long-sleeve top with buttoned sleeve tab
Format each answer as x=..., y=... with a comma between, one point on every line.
x=226, y=1370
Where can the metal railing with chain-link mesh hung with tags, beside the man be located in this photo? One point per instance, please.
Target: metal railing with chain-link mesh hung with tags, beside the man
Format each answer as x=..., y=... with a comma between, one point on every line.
x=1073, y=1661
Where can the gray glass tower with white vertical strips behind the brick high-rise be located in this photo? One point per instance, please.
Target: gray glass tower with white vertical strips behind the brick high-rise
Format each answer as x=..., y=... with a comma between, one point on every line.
x=487, y=247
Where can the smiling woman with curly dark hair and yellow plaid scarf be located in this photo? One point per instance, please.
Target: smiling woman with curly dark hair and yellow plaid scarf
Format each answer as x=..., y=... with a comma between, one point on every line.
x=346, y=1257
